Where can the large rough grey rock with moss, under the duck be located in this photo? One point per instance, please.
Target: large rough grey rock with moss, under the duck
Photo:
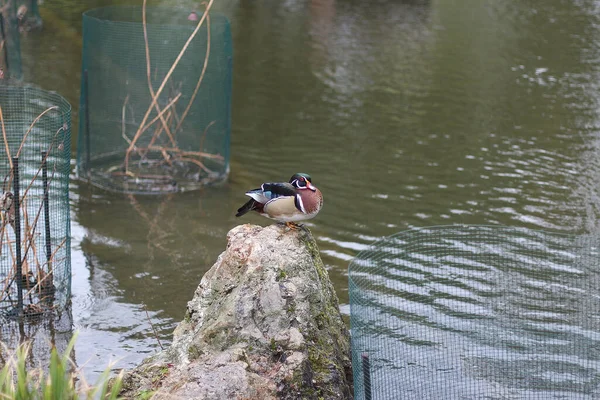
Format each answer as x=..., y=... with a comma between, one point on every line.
x=264, y=323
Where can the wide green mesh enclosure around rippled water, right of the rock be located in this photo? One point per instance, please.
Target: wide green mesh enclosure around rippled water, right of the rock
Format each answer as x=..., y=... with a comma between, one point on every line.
x=476, y=312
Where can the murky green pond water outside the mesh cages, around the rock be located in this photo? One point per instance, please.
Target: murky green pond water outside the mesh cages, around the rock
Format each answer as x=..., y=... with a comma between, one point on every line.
x=406, y=114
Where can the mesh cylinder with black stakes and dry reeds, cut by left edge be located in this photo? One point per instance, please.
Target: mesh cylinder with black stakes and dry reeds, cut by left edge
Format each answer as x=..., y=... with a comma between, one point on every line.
x=35, y=262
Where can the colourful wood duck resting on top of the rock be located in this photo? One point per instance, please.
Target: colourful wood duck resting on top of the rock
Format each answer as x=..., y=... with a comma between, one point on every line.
x=289, y=202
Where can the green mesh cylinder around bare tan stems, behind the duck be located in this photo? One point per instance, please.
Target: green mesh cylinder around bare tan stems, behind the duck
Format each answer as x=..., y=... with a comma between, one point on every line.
x=169, y=149
